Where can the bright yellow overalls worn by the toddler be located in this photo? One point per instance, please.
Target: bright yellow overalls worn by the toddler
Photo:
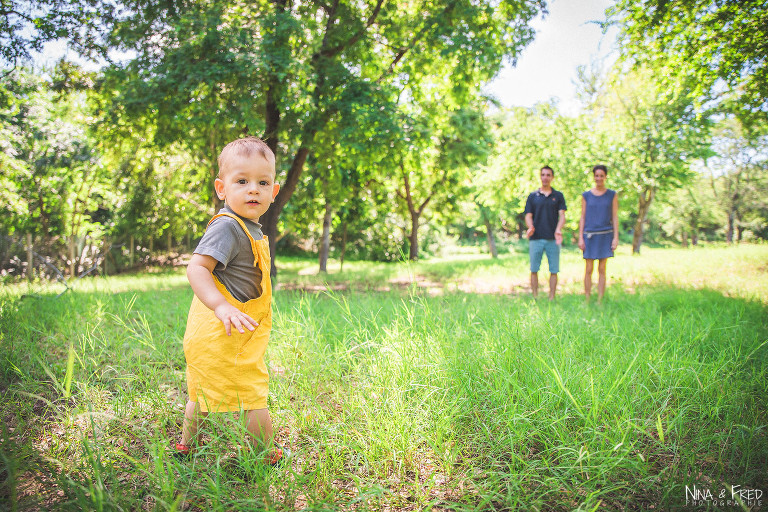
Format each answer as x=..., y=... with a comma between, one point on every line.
x=228, y=373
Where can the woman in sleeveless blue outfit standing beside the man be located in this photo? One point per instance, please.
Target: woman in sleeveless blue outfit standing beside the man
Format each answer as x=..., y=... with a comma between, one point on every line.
x=598, y=229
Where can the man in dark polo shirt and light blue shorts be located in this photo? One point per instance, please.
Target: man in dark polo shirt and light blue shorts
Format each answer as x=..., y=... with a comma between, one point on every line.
x=545, y=216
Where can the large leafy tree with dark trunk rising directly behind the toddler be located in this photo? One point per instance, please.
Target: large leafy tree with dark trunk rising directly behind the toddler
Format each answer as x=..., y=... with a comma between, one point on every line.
x=209, y=70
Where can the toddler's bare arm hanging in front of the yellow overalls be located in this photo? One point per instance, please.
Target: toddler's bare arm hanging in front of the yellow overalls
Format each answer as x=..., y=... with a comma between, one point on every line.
x=199, y=273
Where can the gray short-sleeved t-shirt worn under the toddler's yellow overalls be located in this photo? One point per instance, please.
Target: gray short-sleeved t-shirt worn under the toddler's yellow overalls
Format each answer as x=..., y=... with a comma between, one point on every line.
x=226, y=242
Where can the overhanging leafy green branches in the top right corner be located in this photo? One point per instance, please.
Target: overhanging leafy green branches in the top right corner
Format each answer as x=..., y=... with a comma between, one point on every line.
x=710, y=42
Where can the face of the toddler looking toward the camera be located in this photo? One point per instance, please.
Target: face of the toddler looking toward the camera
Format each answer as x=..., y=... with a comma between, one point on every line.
x=247, y=184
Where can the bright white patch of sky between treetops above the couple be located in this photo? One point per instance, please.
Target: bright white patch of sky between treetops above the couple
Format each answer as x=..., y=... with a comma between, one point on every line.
x=565, y=39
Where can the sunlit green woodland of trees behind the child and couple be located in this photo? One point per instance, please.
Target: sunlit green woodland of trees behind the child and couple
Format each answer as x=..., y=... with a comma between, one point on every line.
x=386, y=145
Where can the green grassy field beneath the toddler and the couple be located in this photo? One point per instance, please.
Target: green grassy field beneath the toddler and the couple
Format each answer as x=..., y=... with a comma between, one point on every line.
x=439, y=385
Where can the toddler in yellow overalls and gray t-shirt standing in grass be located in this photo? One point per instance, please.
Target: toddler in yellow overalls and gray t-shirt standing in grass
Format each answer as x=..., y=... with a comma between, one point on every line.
x=231, y=313
